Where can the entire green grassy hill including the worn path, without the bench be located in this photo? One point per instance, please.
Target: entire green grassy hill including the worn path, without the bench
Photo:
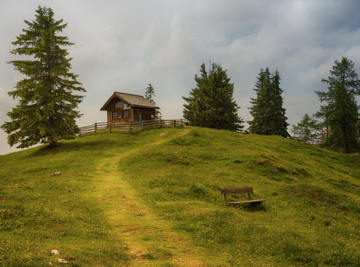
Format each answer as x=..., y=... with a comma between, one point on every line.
x=152, y=199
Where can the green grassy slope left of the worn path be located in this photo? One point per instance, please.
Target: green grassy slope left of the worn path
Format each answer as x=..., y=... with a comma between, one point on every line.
x=47, y=203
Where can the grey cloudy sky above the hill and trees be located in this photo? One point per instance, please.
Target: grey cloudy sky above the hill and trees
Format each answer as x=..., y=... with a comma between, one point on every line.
x=125, y=45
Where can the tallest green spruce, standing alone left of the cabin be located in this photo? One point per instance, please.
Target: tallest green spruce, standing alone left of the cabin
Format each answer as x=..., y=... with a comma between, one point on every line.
x=46, y=109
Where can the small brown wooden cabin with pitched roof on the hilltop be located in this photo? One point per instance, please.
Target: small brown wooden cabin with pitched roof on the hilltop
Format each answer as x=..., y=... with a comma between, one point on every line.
x=122, y=107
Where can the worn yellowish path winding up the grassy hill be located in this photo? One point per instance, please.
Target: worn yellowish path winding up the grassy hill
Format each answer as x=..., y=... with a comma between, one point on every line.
x=149, y=240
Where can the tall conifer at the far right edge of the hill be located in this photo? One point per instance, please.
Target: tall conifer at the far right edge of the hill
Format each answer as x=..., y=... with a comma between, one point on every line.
x=341, y=115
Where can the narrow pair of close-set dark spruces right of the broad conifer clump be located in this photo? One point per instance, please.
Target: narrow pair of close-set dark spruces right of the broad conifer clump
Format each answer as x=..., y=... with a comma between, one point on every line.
x=267, y=108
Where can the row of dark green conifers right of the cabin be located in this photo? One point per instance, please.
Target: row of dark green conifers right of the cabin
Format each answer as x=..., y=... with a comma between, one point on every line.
x=211, y=104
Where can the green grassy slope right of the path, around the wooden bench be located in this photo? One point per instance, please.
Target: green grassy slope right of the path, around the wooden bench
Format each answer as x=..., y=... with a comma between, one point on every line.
x=310, y=216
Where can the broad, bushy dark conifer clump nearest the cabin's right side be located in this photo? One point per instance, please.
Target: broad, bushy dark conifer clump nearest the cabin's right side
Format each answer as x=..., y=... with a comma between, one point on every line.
x=211, y=103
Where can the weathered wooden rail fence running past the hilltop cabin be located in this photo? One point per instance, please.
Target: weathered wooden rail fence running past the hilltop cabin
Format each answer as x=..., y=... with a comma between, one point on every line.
x=130, y=127
